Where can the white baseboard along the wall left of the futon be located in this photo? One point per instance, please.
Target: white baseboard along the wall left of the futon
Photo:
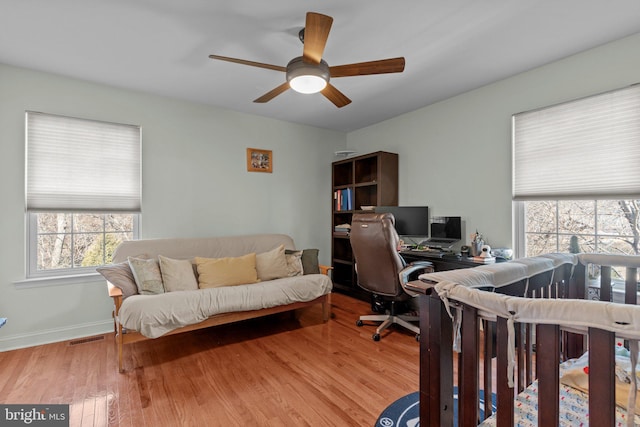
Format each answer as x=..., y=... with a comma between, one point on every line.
x=14, y=342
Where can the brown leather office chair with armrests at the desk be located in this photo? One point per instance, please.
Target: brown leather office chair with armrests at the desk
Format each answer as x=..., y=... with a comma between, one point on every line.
x=379, y=267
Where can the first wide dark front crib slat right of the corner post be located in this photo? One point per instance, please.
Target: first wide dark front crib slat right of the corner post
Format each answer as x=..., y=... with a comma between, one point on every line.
x=468, y=374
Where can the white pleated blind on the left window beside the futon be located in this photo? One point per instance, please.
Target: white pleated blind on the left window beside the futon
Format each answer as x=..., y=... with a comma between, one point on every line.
x=82, y=165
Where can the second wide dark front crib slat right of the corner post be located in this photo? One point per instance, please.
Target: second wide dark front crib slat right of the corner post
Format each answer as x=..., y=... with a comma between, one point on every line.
x=504, y=393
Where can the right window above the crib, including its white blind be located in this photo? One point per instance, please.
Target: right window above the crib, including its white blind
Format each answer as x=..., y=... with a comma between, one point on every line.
x=576, y=180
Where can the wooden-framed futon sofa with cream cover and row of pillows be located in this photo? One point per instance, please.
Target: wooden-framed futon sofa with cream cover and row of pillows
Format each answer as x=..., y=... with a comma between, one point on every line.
x=166, y=286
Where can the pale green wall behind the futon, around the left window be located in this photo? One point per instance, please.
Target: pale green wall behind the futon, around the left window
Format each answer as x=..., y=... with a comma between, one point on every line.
x=195, y=183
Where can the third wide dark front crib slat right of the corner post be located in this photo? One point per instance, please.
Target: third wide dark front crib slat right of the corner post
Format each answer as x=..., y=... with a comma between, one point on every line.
x=547, y=368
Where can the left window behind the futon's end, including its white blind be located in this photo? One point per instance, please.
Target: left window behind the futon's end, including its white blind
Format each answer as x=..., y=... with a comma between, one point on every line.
x=83, y=192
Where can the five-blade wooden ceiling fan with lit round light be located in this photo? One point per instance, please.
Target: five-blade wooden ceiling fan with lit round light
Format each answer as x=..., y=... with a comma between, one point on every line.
x=309, y=73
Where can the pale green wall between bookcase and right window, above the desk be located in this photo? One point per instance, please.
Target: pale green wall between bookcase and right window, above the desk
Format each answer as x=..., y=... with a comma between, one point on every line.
x=455, y=156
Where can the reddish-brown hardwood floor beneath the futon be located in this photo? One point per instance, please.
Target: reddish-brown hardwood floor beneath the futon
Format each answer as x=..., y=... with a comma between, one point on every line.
x=274, y=371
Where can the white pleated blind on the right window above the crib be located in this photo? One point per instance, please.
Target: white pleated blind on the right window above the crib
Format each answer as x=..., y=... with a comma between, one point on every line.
x=583, y=149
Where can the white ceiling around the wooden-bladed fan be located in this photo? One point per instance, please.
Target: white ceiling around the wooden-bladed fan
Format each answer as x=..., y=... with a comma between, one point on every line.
x=162, y=47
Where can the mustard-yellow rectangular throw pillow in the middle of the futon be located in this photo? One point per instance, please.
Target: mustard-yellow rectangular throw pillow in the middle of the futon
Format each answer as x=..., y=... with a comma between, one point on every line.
x=217, y=272
